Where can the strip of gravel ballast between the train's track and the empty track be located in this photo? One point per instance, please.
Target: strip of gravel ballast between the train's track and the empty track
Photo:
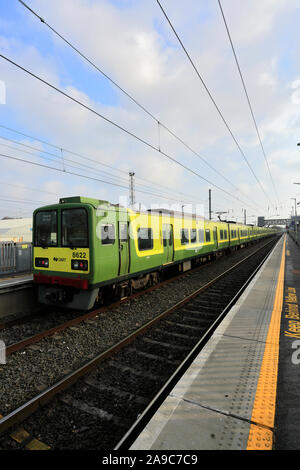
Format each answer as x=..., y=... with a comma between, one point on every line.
x=37, y=367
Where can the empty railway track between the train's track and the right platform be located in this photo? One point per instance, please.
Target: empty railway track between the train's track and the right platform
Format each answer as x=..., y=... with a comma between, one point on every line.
x=105, y=403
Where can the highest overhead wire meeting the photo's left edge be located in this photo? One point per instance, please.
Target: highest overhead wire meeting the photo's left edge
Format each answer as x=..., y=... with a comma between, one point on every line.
x=139, y=139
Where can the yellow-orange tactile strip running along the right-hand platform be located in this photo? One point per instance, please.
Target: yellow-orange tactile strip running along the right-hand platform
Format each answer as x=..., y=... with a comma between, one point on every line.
x=263, y=413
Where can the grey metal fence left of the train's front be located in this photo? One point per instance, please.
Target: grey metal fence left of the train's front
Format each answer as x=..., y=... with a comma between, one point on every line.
x=15, y=258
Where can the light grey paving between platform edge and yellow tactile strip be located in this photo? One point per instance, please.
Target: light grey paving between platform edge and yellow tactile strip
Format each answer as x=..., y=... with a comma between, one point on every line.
x=211, y=406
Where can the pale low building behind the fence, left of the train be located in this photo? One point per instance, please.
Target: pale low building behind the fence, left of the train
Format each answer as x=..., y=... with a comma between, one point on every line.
x=17, y=230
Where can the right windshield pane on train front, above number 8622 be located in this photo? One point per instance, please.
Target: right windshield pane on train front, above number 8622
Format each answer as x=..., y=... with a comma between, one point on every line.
x=75, y=228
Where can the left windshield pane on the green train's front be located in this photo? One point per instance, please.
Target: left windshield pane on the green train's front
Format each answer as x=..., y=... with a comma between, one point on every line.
x=46, y=228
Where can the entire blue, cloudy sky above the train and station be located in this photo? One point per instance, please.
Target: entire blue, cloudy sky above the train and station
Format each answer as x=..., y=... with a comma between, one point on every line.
x=52, y=147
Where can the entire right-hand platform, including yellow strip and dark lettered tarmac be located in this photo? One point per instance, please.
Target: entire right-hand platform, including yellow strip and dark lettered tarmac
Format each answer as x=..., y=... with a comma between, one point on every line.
x=243, y=390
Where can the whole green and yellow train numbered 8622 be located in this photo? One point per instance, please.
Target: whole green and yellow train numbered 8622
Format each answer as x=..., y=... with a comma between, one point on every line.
x=86, y=249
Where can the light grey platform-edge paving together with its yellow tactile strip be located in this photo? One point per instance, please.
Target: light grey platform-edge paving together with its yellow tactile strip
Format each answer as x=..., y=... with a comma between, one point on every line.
x=226, y=399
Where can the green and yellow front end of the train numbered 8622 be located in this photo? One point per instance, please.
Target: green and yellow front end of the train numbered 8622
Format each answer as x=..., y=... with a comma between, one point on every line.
x=62, y=261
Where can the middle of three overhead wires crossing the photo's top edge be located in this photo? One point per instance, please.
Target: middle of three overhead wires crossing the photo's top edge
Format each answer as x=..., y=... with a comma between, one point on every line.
x=212, y=99
